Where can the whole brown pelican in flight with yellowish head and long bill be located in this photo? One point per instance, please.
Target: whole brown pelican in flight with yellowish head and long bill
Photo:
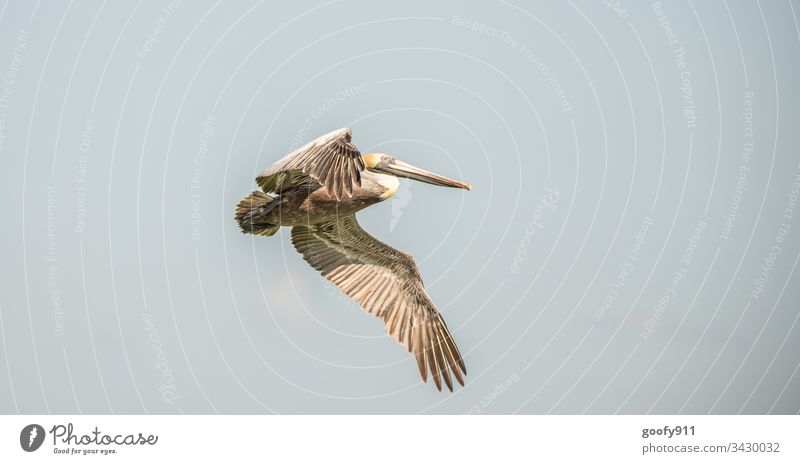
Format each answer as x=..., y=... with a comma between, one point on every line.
x=317, y=190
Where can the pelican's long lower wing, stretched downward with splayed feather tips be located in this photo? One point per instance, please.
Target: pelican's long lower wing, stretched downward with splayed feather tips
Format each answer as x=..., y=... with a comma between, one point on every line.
x=386, y=283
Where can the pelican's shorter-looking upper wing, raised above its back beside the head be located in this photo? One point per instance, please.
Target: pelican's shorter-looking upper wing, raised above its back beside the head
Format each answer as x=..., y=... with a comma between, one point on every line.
x=331, y=160
